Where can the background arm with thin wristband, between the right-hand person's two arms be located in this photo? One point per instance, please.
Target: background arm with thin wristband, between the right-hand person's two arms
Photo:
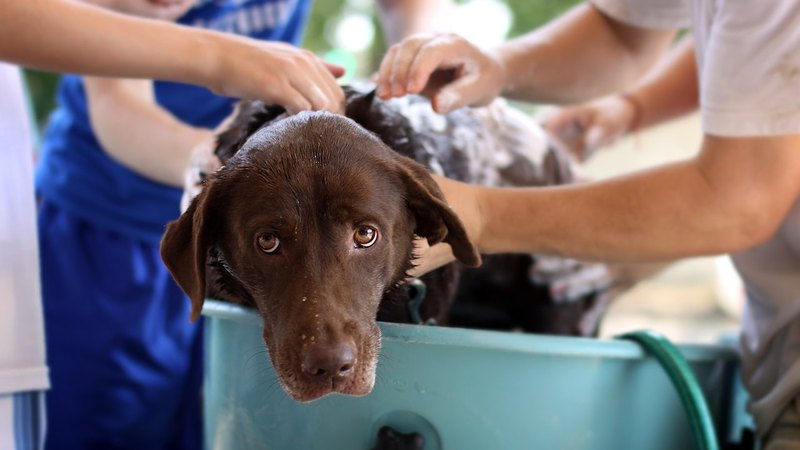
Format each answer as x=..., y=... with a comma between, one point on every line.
x=667, y=92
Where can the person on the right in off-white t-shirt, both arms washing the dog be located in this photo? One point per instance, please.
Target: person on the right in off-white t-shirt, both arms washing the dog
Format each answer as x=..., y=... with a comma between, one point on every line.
x=738, y=195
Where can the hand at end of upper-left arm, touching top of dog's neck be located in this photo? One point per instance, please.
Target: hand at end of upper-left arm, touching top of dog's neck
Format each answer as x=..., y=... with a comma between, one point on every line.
x=274, y=72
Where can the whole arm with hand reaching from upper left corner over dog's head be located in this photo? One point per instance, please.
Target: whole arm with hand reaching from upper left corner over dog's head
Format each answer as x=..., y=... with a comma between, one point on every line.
x=86, y=39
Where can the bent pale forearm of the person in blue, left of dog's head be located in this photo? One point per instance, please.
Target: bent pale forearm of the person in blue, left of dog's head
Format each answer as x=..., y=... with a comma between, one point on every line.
x=138, y=133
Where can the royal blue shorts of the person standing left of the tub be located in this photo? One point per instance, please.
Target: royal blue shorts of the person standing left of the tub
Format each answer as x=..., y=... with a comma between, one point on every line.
x=122, y=353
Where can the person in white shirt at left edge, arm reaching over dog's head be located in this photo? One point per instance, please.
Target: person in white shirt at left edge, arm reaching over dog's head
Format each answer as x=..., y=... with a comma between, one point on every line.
x=127, y=47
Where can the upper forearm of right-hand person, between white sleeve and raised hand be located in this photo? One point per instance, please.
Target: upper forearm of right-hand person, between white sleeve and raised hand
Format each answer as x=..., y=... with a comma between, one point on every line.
x=579, y=56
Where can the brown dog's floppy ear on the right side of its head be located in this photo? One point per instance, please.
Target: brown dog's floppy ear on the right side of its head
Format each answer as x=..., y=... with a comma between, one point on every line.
x=435, y=220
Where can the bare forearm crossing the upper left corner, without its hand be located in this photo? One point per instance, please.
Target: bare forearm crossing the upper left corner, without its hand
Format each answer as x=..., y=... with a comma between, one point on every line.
x=86, y=39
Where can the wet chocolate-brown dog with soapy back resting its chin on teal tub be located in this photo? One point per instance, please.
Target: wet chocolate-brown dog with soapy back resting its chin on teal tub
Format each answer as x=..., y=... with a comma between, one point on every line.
x=312, y=217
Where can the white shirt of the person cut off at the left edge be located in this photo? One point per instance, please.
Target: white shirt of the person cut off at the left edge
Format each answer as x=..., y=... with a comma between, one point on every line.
x=22, y=354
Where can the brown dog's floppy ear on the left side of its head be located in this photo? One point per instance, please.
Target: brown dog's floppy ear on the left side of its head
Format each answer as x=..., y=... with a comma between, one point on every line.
x=185, y=245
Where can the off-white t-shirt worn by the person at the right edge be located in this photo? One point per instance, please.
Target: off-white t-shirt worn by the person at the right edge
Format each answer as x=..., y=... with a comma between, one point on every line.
x=748, y=54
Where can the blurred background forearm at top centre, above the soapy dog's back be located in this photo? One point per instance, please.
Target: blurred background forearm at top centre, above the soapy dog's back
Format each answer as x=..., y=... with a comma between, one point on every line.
x=403, y=18
